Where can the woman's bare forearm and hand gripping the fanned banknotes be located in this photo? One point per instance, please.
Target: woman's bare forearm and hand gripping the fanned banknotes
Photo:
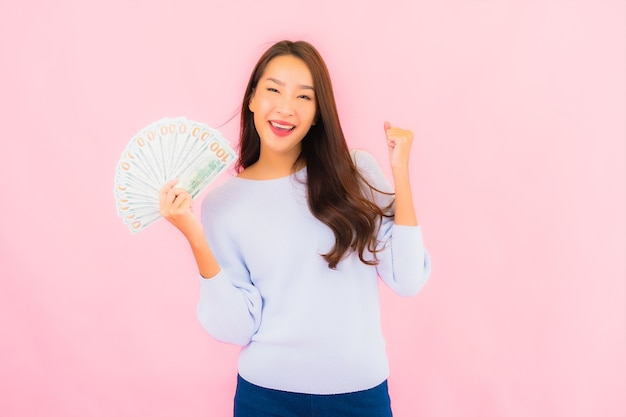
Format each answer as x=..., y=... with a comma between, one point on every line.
x=176, y=206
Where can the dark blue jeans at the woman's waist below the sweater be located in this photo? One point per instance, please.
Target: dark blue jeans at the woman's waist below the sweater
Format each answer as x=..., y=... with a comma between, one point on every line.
x=254, y=401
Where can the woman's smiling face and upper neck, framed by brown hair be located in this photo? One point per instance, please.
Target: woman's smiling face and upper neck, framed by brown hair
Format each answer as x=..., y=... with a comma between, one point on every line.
x=284, y=106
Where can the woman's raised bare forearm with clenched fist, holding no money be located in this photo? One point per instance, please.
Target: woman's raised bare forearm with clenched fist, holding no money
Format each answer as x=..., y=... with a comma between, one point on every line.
x=399, y=142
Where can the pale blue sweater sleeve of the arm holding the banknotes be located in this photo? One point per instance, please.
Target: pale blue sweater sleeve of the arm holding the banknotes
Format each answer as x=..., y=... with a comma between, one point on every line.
x=230, y=305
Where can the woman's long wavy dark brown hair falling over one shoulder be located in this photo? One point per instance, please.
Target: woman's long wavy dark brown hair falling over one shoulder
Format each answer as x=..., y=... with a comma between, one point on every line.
x=335, y=186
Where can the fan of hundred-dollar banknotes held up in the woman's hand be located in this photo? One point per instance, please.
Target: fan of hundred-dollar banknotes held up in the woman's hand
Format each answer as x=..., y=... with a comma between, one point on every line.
x=167, y=149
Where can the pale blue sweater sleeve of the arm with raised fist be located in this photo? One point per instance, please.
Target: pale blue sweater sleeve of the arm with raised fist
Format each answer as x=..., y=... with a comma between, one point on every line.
x=404, y=264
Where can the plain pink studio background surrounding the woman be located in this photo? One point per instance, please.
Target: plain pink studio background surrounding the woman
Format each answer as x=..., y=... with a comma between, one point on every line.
x=519, y=172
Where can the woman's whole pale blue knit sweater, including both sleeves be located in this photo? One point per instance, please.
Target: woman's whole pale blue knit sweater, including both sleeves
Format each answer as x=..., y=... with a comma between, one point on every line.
x=303, y=327
